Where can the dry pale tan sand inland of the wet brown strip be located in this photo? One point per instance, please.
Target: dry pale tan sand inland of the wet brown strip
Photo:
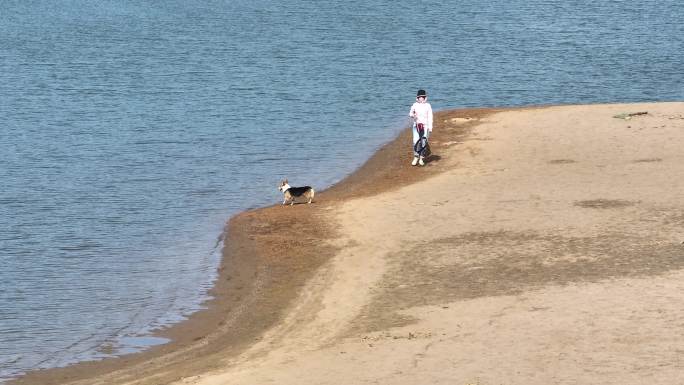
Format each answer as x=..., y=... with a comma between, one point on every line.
x=547, y=251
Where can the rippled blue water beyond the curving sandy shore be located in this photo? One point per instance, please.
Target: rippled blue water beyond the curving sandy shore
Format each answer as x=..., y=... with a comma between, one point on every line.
x=130, y=131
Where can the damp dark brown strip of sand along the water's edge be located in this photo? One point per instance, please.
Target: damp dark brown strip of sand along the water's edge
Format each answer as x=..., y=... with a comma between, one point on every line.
x=268, y=256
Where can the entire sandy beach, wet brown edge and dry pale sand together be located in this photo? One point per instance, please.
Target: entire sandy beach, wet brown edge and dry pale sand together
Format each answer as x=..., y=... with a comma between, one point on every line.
x=537, y=246
